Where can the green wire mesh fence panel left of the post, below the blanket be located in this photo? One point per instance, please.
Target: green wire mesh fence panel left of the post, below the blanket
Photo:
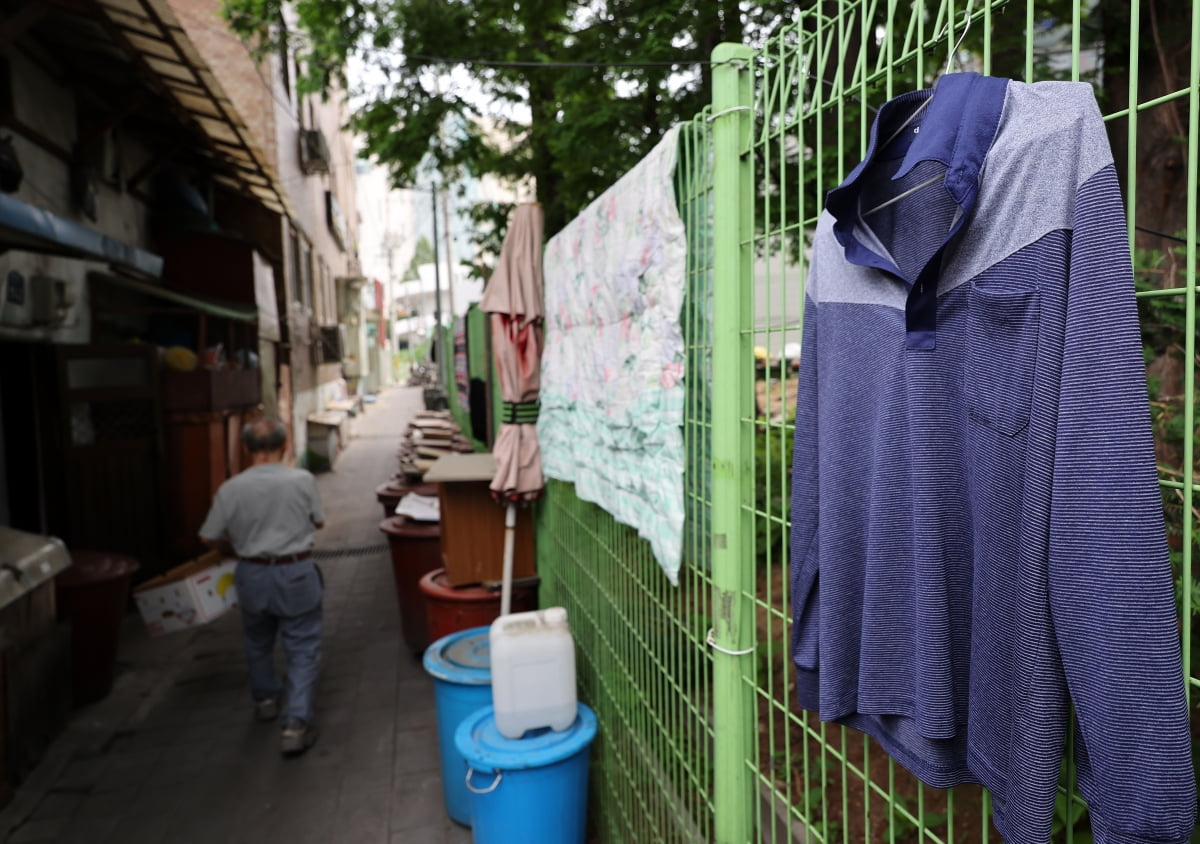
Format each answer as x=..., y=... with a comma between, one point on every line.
x=643, y=660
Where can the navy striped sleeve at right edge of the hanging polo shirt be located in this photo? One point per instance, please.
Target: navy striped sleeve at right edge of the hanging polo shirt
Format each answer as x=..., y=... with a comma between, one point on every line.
x=1112, y=589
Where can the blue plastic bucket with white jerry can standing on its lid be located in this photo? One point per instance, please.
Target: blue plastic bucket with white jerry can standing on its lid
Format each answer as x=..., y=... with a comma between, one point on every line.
x=531, y=791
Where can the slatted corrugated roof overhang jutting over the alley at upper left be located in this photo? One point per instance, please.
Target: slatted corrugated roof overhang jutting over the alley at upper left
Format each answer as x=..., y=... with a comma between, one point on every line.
x=151, y=31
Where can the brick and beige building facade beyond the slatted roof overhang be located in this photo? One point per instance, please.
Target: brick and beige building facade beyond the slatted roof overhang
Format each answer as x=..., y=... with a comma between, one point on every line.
x=316, y=241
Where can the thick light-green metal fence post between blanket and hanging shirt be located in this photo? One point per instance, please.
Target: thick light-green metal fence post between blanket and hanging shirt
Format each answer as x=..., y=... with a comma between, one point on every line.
x=733, y=451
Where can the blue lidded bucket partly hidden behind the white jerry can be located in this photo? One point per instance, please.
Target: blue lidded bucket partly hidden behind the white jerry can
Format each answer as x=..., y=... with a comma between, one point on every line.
x=461, y=668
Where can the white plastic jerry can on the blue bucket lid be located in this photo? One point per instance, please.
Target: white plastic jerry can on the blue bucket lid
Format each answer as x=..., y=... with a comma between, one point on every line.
x=533, y=672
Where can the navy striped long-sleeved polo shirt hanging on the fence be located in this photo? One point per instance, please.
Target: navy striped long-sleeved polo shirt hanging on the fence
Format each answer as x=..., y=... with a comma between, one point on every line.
x=977, y=534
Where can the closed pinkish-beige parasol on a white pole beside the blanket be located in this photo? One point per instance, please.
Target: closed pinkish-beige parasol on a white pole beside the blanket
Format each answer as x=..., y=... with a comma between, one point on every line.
x=514, y=298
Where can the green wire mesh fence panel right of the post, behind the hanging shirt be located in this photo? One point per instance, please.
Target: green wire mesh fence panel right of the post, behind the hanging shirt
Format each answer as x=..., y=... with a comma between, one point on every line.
x=815, y=89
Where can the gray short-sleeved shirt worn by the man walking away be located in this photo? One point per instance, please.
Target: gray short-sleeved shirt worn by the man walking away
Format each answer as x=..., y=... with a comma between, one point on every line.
x=268, y=511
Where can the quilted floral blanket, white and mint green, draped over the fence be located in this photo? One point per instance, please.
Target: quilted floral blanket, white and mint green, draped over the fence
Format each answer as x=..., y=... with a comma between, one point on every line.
x=613, y=394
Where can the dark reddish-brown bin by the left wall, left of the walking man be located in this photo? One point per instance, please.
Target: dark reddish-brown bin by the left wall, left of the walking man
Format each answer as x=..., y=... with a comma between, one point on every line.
x=93, y=596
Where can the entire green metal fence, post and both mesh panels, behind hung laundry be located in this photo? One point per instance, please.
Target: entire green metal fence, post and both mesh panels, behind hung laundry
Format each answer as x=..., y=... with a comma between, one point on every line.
x=699, y=744
